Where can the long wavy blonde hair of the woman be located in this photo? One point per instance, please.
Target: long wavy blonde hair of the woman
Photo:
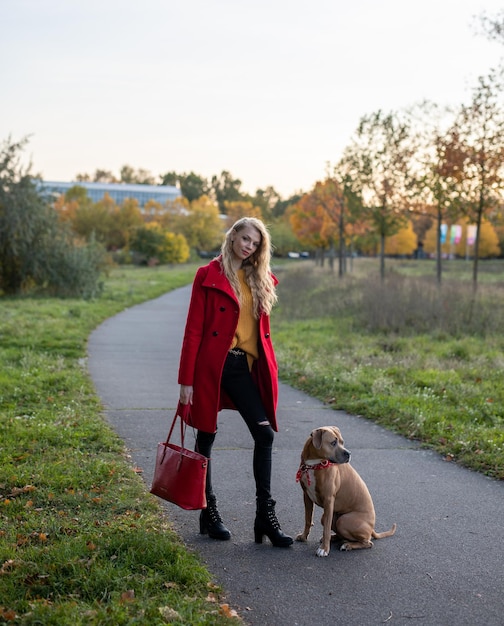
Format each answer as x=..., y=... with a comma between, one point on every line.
x=257, y=266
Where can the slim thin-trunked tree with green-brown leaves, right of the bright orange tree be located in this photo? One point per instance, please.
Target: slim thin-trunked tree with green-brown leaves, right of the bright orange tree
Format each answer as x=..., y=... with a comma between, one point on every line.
x=377, y=163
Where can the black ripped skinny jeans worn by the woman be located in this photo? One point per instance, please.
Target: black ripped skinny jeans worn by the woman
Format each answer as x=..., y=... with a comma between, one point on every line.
x=237, y=382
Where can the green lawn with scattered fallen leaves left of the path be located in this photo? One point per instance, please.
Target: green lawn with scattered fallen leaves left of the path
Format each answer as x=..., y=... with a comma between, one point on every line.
x=81, y=542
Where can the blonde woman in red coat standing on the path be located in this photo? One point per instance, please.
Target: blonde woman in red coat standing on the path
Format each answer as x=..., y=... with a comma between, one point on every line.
x=228, y=361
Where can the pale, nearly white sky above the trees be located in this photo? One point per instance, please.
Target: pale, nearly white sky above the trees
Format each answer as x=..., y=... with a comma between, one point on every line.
x=269, y=90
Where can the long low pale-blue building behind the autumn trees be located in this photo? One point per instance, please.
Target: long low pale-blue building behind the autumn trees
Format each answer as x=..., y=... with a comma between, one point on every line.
x=117, y=191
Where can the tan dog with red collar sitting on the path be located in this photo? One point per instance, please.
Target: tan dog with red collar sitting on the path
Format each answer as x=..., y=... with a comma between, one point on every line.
x=329, y=481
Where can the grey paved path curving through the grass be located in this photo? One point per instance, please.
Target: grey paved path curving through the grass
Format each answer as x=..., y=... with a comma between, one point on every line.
x=444, y=566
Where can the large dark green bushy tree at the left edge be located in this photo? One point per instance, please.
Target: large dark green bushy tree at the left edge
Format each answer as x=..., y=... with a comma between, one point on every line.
x=36, y=248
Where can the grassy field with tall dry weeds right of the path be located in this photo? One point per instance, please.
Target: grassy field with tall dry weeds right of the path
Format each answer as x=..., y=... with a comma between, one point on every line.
x=423, y=362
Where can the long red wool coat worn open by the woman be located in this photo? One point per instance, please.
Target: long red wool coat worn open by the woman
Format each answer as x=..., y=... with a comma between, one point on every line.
x=211, y=324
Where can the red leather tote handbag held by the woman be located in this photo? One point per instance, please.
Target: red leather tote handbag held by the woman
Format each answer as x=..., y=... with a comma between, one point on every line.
x=179, y=473
